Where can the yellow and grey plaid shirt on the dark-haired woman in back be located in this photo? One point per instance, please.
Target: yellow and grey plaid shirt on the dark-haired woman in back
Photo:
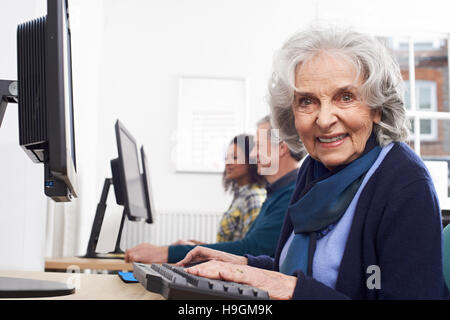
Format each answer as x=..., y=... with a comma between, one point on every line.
x=242, y=212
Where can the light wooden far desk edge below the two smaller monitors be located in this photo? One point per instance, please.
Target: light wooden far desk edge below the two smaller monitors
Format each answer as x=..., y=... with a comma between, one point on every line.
x=87, y=263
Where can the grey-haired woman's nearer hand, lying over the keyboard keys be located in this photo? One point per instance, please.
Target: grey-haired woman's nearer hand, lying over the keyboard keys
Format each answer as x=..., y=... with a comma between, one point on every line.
x=278, y=285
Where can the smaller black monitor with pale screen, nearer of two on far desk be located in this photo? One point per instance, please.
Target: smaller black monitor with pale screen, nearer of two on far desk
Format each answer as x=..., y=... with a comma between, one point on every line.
x=130, y=189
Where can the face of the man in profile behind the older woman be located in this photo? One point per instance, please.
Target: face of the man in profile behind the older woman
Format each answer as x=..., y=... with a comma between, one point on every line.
x=265, y=152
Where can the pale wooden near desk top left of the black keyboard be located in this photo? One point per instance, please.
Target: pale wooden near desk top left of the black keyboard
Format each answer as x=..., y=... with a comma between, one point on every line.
x=90, y=286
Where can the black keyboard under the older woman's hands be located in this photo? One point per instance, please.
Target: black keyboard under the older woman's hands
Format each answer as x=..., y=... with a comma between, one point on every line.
x=174, y=283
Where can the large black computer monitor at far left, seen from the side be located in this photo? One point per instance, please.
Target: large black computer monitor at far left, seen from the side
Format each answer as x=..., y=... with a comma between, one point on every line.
x=44, y=95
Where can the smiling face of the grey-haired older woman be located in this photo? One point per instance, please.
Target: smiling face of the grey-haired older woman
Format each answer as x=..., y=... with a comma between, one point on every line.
x=331, y=118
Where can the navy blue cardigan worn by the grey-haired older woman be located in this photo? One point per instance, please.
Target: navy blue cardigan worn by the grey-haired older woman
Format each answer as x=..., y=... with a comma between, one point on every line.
x=397, y=227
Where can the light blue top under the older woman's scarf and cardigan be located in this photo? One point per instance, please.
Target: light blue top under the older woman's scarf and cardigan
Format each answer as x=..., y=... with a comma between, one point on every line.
x=330, y=248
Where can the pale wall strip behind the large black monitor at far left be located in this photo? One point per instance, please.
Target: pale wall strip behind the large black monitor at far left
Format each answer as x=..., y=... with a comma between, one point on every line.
x=22, y=200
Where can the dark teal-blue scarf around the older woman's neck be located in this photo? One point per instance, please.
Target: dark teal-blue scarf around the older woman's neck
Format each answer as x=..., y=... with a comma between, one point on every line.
x=322, y=202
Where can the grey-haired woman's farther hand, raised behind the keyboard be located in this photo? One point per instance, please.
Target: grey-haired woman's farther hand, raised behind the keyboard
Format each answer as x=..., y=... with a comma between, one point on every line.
x=202, y=253
